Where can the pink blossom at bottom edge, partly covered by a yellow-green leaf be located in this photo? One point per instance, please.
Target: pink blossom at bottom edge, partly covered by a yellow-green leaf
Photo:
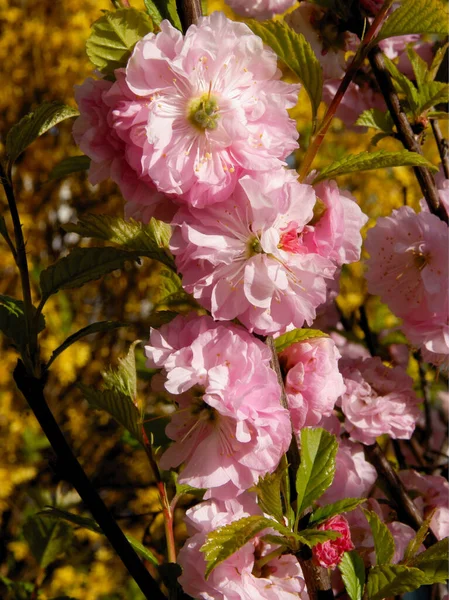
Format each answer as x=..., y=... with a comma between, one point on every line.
x=238, y=577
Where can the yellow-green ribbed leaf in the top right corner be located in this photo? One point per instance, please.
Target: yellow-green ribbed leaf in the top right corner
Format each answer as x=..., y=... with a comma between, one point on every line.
x=415, y=16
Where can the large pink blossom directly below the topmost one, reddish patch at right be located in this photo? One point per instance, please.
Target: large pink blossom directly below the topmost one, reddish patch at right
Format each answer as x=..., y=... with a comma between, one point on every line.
x=249, y=261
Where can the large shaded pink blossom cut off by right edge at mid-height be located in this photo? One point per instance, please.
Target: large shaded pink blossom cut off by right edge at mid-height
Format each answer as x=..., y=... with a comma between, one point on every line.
x=408, y=269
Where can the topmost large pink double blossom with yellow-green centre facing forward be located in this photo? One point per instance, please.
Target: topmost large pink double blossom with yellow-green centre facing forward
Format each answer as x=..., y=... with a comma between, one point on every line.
x=208, y=107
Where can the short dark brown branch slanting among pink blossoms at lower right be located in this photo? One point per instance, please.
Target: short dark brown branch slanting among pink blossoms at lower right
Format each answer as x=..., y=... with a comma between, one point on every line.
x=407, y=511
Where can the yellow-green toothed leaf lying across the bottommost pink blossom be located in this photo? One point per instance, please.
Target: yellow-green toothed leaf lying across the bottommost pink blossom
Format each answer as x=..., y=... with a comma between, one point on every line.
x=223, y=542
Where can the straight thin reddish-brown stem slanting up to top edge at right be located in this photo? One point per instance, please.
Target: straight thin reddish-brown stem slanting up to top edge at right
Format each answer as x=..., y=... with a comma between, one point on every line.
x=355, y=65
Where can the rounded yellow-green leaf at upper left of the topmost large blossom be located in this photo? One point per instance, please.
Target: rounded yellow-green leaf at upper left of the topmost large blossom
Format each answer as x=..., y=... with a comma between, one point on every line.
x=113, y=37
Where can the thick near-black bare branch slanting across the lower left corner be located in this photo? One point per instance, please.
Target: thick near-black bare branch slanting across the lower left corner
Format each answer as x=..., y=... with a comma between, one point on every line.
x=33, y=391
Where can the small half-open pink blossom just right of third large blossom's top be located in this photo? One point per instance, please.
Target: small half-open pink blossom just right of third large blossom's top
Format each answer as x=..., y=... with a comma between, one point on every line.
x=313, y=383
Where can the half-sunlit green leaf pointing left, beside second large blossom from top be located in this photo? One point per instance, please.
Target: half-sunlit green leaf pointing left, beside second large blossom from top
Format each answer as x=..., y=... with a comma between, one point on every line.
x=149, y=240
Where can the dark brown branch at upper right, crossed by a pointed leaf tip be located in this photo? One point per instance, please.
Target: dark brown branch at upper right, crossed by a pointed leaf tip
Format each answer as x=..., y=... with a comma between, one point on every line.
x=405, y=132
